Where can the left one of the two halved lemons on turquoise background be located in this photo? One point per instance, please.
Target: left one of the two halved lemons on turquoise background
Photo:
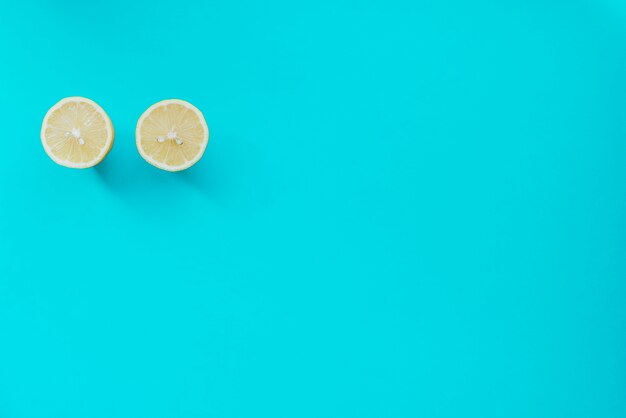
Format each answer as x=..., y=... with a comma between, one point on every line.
x=77, y=133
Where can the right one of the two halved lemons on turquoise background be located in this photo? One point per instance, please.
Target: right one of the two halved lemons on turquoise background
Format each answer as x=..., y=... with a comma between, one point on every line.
x=172, y=135
